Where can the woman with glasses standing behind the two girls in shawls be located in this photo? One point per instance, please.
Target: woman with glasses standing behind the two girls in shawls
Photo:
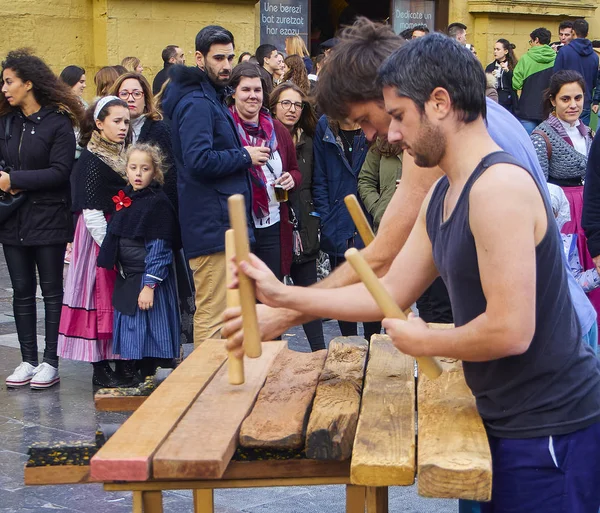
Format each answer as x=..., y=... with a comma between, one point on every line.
x=148, y=126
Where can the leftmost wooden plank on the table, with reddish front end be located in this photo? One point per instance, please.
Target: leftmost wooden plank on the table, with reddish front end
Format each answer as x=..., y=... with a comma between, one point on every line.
x=127, y=456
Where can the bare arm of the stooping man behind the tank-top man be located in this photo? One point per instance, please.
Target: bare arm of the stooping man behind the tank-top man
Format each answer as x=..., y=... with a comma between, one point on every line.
x=396, y=224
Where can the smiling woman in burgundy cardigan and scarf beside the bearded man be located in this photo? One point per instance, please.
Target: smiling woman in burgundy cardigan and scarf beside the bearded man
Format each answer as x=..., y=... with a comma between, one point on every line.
x=272, y=182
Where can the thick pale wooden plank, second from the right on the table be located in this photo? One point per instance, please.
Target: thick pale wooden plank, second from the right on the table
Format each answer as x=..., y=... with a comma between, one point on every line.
x=384, y=447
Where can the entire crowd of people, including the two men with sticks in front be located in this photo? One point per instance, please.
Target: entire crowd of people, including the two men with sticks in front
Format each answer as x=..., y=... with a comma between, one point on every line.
x=131, y=191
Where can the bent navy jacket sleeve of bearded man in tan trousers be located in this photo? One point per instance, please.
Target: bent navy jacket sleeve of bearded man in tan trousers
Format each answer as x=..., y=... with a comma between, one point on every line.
x=196, y=136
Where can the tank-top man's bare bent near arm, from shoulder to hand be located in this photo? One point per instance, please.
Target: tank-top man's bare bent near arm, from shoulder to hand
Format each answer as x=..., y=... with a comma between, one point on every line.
x=508, y=219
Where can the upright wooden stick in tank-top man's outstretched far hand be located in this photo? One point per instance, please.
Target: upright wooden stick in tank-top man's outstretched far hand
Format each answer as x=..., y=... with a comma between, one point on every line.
x=237, y=218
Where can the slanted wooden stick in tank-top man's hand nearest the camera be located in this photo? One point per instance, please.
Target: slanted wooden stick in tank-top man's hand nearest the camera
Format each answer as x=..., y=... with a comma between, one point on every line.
x=388, y=306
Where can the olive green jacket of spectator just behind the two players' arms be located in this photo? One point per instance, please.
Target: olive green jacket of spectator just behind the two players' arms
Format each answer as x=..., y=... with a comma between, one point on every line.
x=377, y=183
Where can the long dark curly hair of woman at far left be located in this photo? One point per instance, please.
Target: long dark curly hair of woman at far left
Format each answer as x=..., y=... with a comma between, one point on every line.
x=46, y=86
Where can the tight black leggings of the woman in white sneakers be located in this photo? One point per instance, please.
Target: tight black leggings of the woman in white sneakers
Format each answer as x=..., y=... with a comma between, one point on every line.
x=22, y=262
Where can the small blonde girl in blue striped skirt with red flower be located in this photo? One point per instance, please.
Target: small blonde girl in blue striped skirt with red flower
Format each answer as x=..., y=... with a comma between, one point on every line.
x=141, y=237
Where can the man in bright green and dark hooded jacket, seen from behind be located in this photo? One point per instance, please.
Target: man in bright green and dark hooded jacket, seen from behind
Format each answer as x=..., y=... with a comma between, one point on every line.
x=532, y=76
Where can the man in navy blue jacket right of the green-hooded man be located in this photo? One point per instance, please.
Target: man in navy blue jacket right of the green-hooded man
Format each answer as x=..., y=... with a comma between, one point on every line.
x=579, y=56
